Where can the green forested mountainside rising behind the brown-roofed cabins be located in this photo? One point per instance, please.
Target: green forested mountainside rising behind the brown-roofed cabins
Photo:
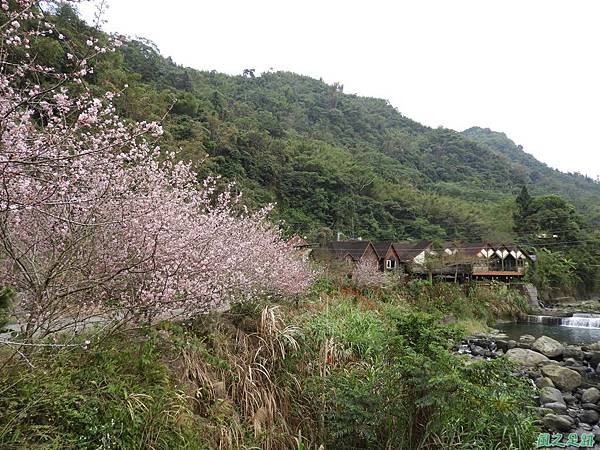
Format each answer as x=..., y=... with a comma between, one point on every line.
x=331, y=161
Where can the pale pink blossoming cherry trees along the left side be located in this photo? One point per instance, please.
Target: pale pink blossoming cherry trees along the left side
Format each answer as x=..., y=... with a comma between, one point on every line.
x=93, y=221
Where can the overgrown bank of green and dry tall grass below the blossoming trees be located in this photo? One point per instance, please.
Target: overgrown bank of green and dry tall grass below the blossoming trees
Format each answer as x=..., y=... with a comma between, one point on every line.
x=344, y=368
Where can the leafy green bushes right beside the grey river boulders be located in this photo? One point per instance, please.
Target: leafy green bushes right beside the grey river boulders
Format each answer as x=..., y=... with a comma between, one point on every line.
x=446, y=391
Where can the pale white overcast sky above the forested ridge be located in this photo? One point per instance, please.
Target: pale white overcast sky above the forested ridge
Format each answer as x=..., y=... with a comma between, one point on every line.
x=528, y=68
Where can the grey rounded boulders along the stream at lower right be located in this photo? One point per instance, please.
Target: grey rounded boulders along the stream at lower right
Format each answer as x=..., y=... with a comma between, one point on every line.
x=566, y=378
